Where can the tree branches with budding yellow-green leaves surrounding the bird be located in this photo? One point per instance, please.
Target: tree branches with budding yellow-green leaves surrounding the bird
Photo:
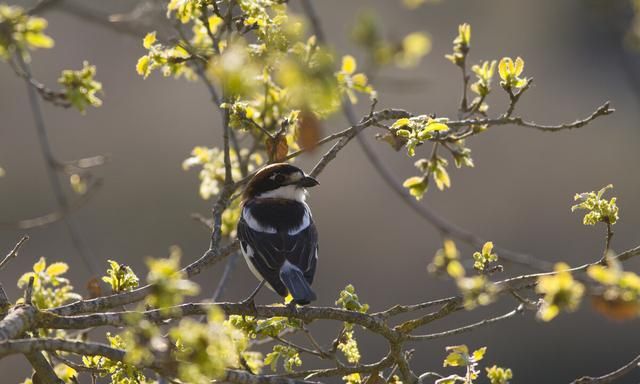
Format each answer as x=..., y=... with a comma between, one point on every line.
x=297, y=88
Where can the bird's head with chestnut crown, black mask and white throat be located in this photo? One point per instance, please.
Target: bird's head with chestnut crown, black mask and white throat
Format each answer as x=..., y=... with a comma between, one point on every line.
x=281, y=181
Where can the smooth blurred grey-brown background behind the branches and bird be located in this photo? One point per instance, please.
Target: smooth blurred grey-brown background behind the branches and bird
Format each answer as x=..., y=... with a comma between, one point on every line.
x=518, y=195
